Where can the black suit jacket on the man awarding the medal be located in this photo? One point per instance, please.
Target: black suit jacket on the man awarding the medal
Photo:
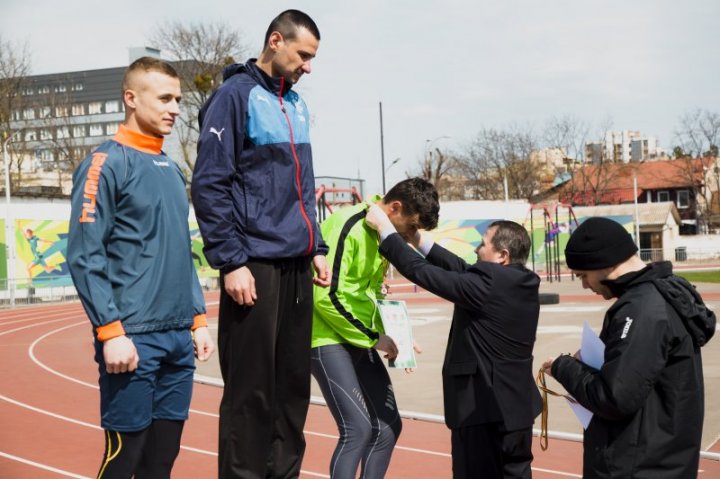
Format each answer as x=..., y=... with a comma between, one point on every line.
x=487, y=374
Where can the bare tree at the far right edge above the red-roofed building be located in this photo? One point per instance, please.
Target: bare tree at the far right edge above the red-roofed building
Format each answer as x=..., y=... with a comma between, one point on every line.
x=698, y=134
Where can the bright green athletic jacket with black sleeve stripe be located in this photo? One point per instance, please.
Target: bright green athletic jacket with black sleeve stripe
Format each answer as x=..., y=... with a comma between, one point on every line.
x=346, y=312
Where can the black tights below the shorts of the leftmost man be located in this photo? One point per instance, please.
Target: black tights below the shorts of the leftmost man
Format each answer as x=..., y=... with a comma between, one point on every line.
x=148, y=454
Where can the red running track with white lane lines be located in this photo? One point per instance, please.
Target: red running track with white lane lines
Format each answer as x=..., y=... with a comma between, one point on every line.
x=50, y=413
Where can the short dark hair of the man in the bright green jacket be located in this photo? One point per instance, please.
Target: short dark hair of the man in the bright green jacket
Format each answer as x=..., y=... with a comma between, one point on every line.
x=418, y=196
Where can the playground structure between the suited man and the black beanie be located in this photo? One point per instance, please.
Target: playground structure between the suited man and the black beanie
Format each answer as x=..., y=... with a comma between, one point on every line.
x=552, y=229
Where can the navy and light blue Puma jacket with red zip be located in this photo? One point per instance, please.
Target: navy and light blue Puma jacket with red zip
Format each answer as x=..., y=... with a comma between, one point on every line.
x=253, y=186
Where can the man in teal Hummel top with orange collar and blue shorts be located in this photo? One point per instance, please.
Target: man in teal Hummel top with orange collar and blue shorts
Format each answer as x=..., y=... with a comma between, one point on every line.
x=130, y=259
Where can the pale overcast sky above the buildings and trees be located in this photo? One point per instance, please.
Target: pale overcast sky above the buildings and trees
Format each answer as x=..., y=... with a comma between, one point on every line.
x=441, y=68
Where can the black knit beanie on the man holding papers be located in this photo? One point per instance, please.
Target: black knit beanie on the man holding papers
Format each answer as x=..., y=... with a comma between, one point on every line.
x=598, y=243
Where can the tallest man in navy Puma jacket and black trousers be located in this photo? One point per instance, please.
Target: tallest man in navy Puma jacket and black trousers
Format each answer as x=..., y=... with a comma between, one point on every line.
x=254, y=196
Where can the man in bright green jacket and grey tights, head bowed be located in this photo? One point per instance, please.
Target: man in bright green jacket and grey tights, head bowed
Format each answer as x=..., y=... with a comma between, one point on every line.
x=347, y=329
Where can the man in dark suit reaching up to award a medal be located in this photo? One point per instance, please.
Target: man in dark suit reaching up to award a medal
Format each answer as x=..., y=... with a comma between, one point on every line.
x=490, y=397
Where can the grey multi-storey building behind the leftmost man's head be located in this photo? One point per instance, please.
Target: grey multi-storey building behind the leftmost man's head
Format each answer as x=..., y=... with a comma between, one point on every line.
x=62, y=118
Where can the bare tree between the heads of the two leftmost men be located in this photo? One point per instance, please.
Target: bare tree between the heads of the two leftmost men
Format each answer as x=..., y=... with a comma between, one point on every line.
x=199, y=51
